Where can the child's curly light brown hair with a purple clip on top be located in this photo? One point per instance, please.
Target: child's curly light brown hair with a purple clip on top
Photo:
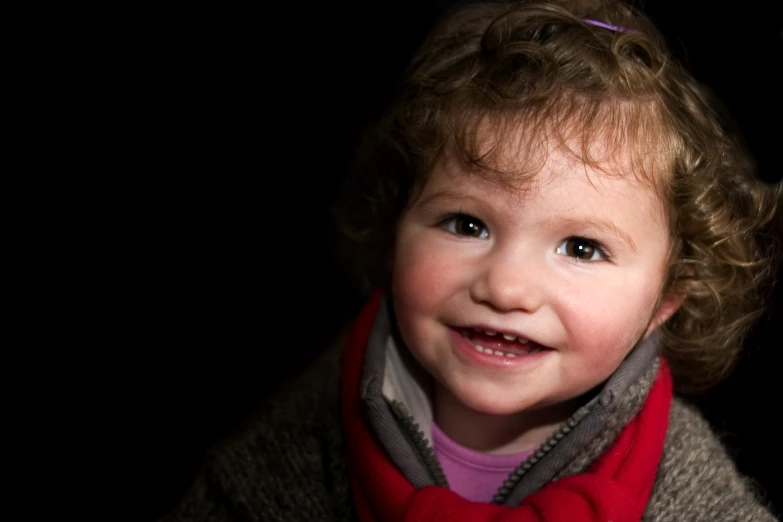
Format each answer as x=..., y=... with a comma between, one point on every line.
x=542, y=64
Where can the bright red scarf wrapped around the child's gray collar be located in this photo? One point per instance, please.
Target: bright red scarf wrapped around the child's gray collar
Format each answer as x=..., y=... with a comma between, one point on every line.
x=615, y=488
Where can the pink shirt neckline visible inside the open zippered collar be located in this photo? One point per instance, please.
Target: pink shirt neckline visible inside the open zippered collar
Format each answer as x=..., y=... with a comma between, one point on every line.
x=474, y=475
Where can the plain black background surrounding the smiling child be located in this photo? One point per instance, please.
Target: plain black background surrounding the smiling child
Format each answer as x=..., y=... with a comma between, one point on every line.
x=178, y=263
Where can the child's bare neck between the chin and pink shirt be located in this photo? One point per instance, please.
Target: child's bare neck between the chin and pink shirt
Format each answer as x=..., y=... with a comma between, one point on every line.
x=497, y=434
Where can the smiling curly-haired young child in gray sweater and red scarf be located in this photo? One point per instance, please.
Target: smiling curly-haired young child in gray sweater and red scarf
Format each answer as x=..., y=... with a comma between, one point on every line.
x=556, y=232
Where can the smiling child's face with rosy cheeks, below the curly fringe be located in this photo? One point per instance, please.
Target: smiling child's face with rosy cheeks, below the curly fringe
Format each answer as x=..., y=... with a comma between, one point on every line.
x=573, y=265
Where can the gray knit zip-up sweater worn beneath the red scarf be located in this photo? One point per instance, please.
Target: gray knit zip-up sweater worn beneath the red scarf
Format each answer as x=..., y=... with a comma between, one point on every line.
x=288, y=462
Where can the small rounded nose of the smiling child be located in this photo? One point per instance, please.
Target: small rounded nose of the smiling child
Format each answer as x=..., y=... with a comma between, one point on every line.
x=509, y=282
